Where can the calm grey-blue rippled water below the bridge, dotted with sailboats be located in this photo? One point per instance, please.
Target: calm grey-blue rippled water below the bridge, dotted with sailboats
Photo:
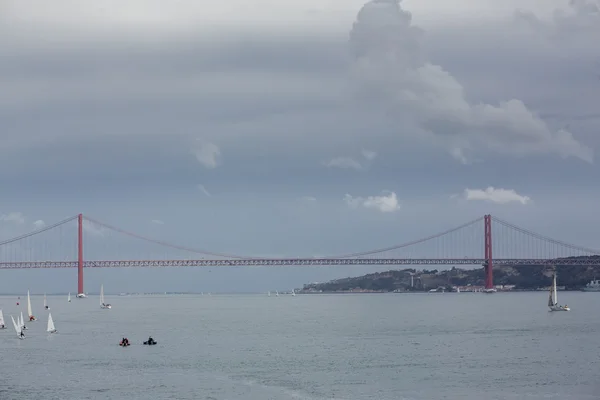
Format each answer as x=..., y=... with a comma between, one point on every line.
x=393, y=346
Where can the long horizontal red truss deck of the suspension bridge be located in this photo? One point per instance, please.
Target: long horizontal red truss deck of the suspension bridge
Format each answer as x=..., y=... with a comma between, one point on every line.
x=297, y=262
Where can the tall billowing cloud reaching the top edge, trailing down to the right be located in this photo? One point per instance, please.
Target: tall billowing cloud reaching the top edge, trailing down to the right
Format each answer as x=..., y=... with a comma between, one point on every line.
x=393, y=71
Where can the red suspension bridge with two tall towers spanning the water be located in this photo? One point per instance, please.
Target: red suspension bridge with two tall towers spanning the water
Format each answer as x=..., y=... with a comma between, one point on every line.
x=56, y=246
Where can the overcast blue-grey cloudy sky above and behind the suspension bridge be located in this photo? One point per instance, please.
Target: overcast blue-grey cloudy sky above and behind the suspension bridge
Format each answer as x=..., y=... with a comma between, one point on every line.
x=296, y=128
